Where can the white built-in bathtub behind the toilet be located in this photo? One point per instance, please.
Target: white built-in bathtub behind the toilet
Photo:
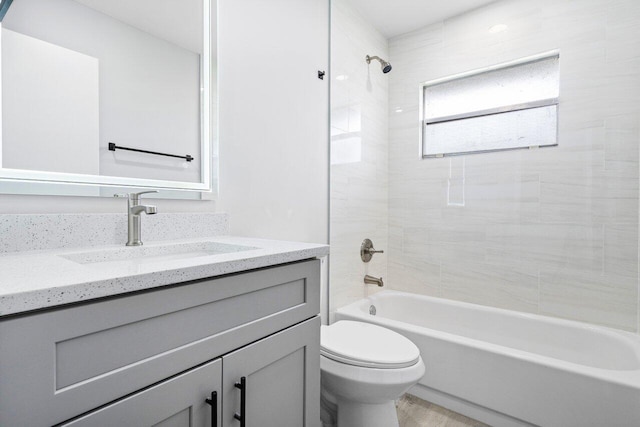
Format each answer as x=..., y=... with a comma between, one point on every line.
x=507, y=368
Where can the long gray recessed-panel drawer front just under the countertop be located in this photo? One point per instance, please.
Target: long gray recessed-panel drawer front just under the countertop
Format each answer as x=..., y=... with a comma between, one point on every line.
x=58, y=364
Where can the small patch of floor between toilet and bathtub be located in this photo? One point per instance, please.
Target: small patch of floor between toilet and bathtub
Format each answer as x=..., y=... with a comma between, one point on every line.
x=414, y=412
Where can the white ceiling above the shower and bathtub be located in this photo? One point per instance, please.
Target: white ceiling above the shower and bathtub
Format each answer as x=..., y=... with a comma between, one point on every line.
x=395, y=17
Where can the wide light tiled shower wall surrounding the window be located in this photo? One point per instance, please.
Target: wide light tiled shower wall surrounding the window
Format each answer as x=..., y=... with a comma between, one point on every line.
x=552, y=230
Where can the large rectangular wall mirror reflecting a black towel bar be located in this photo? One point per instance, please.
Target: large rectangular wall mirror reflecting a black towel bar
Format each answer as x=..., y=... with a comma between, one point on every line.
x=98, y=94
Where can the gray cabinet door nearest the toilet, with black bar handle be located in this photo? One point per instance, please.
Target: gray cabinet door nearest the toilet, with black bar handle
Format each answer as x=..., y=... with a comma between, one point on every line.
x=282, y=380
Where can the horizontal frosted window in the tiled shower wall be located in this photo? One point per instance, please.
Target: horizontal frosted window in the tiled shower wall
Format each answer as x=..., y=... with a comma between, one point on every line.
x=503, y=107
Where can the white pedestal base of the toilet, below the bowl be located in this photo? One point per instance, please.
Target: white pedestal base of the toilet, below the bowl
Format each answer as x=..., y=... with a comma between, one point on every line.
x=347, y=413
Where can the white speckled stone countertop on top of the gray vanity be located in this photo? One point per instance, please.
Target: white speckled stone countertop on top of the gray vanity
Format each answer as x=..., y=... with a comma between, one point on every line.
x=41, y=279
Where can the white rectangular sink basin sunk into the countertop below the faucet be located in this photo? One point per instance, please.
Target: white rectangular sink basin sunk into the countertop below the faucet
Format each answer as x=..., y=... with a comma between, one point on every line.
x=168, y=252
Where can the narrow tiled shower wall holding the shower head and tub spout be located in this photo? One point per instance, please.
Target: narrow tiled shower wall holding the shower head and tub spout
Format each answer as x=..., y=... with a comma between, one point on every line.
x=359, y=126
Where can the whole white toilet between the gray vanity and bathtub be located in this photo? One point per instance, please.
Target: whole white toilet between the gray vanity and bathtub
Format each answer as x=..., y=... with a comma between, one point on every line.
x=365, y=367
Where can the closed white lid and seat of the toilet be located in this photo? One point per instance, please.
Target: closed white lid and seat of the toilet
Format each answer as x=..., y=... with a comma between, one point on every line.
x=367, y=345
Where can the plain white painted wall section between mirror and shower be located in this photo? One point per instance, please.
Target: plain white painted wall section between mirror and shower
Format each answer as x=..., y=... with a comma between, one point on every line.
x=273, y=114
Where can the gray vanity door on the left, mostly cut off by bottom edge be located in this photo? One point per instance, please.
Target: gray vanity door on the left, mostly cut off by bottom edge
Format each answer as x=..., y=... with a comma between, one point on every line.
x=177, y=402
